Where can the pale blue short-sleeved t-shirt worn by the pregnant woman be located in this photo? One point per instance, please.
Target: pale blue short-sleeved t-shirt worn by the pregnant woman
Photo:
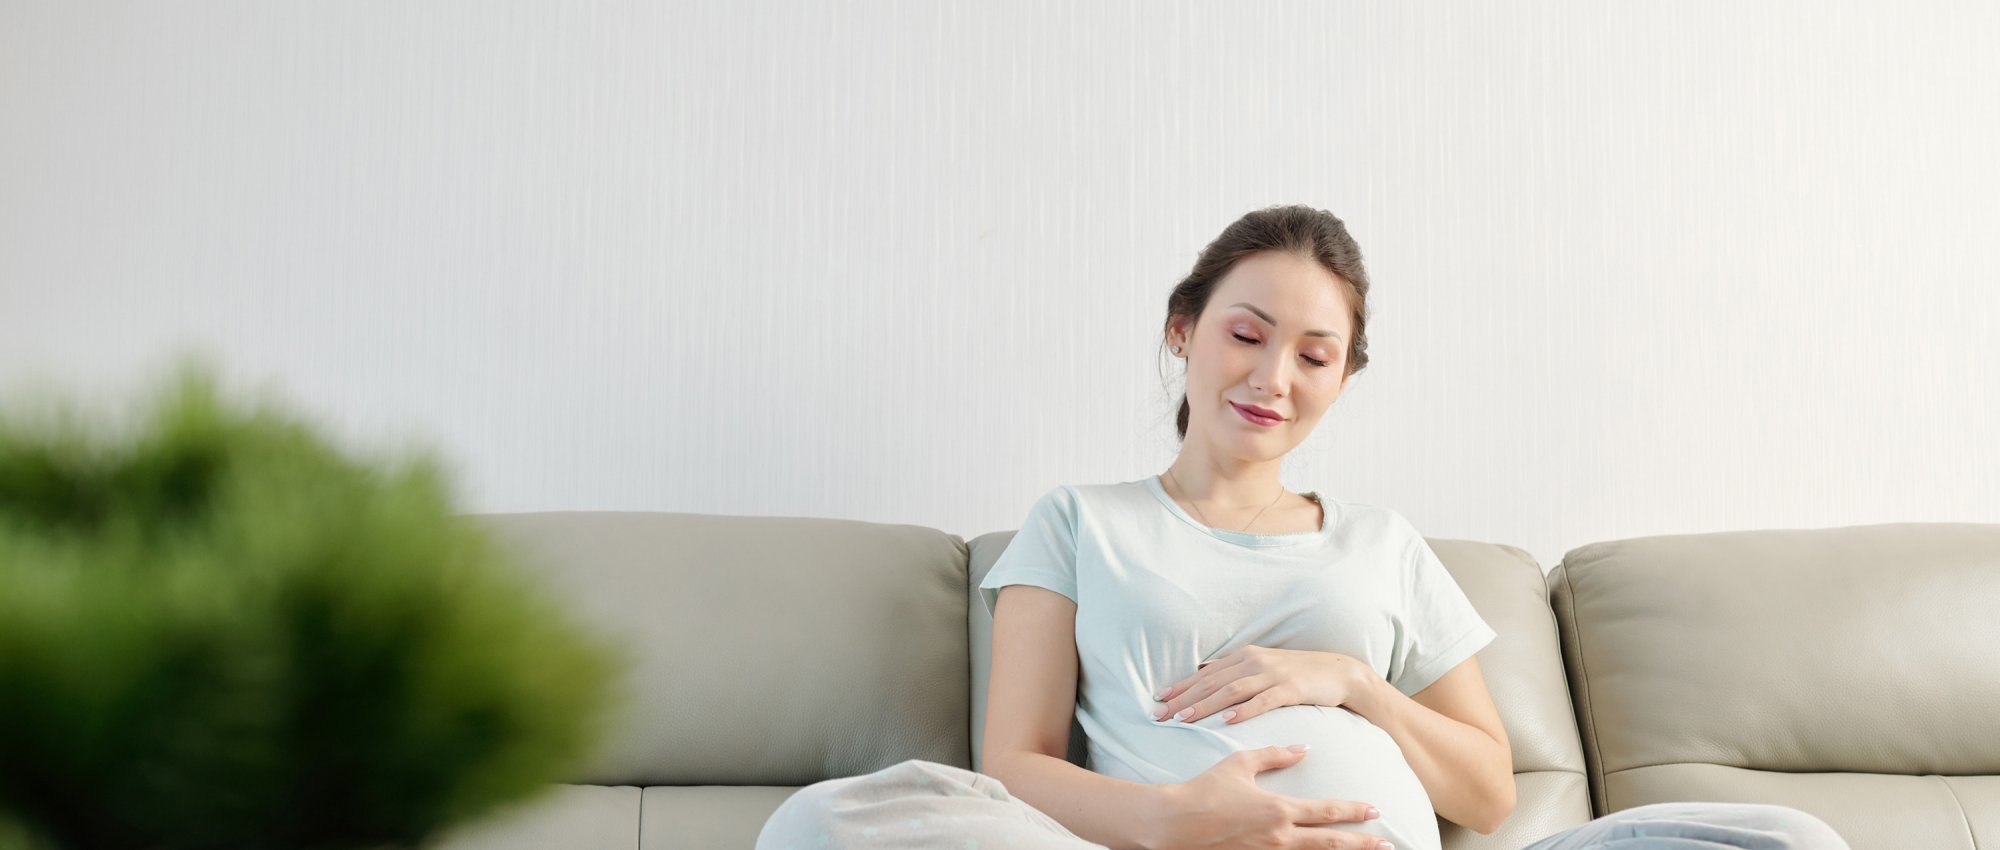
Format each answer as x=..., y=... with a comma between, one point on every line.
x=1159, y=593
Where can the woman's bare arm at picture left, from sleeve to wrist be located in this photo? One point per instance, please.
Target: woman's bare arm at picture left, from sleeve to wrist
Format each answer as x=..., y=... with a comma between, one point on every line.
x=1031, y=703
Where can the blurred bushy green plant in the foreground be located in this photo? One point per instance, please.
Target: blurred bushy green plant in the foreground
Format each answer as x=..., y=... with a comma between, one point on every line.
x=223, y=633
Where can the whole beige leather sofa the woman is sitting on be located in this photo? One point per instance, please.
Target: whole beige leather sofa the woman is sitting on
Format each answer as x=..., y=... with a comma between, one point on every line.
x=1853, y=673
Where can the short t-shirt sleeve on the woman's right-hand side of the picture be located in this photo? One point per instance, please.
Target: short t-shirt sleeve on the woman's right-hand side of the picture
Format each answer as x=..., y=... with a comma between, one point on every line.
x=1439, y=629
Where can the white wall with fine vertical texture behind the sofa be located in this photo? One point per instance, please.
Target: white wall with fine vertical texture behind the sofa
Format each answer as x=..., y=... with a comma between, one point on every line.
x=1641, y=269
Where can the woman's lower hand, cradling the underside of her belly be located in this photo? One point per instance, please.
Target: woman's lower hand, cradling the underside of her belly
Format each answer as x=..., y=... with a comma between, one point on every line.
x=1223, y=809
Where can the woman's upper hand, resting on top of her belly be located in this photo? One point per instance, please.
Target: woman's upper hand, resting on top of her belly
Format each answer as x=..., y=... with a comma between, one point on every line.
x=1257, y=679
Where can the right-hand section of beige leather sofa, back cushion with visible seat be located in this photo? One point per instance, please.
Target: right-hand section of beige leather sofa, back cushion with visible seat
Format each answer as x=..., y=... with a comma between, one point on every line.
x=1851, y=673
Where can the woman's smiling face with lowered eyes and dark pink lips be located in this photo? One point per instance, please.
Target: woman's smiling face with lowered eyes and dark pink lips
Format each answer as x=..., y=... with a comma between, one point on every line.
x=1281, y=305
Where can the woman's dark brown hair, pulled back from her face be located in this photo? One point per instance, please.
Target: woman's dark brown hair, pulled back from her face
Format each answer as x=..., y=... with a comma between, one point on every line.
x=1303, y=231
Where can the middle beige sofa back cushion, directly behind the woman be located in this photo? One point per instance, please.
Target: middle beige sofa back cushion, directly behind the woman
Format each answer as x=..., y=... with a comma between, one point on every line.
x=1523, y=671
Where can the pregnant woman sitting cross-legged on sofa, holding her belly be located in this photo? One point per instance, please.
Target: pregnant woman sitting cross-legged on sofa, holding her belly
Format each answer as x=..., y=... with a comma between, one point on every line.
x=1251, y=667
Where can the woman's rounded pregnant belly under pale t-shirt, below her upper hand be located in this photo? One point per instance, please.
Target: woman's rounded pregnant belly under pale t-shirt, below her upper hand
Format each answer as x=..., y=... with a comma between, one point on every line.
x=1351, y=759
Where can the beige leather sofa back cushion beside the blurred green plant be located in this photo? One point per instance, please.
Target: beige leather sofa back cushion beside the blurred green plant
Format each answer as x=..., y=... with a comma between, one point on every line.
x=765, y=651
